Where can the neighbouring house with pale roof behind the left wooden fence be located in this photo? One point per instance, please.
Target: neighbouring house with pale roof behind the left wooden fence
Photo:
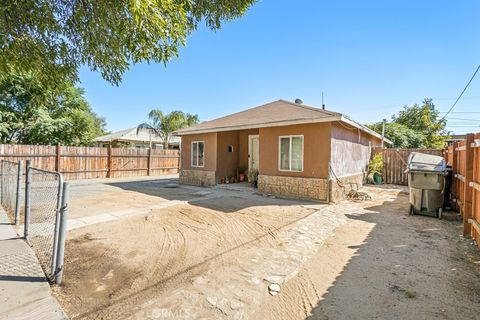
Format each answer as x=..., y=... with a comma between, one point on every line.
x=143, y=139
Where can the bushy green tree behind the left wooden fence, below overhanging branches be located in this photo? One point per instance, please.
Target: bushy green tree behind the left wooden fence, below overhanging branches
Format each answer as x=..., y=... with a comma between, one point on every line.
x=33, y=113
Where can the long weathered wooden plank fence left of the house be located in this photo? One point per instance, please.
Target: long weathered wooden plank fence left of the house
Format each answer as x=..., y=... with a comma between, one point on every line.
x=92, y=162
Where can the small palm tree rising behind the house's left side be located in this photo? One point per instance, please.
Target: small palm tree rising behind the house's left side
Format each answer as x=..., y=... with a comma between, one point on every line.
x=164, y=124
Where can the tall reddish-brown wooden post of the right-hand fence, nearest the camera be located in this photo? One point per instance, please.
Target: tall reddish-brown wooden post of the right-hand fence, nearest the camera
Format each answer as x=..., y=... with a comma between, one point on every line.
x=468, y=214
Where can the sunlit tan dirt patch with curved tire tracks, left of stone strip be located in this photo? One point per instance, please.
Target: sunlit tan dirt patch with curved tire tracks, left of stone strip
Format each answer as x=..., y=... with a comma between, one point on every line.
x=161, y=251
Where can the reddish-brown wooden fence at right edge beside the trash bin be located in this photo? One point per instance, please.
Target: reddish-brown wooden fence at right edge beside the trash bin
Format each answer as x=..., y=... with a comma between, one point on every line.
x=464, y=157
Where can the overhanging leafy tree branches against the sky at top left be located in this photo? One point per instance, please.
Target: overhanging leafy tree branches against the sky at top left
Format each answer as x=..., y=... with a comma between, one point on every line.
x=56, y=37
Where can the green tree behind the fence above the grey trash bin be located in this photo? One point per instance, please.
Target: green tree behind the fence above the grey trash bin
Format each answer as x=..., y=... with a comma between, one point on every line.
x=418, y=126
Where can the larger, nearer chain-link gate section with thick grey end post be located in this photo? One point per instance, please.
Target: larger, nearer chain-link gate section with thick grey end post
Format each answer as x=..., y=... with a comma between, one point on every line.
x=45, y=218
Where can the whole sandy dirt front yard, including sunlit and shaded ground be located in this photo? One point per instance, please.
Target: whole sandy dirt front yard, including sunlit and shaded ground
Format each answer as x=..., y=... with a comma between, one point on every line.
x=196, y=253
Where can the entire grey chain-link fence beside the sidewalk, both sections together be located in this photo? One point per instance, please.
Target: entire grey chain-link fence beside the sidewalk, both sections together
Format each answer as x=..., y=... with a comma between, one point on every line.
x=45, y=208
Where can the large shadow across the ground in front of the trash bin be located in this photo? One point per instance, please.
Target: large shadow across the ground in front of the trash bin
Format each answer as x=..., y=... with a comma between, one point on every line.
x=408, y=267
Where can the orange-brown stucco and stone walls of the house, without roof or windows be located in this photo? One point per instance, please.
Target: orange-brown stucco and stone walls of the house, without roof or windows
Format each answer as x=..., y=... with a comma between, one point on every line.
x=346, y=148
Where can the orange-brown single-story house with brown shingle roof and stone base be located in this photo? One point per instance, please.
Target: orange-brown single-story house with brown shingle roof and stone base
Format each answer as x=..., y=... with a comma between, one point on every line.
x=299, y=151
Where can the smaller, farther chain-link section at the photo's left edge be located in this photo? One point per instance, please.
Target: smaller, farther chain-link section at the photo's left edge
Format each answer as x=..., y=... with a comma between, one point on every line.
x=10, y=183
